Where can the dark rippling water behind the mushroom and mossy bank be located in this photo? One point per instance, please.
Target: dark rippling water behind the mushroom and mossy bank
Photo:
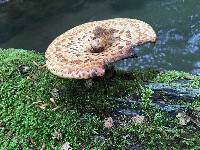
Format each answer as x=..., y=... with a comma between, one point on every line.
x=33, y=24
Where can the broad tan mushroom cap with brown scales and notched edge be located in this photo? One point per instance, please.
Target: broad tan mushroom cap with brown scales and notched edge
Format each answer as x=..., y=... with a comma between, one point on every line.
x=83, y=51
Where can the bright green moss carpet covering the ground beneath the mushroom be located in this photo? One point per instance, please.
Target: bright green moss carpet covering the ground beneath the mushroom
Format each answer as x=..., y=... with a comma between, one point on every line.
x=41, y=111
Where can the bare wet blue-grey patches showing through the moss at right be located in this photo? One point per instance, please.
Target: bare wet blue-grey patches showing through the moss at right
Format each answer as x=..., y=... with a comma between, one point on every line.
x=165, y=97
